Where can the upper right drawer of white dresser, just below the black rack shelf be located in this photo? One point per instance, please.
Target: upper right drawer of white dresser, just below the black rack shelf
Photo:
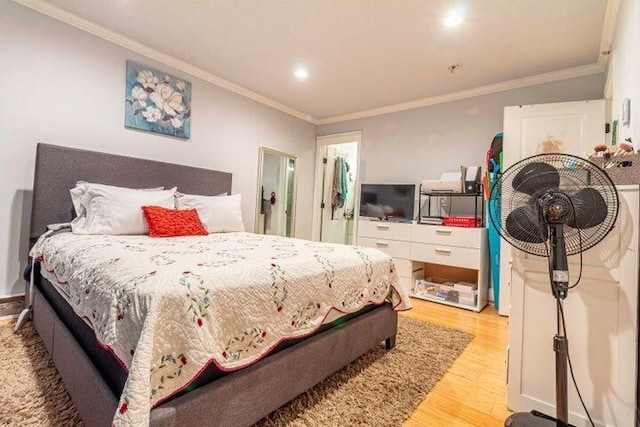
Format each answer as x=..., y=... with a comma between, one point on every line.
x=448, y=236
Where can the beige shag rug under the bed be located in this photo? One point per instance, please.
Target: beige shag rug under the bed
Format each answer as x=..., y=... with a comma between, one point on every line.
x=379, y=389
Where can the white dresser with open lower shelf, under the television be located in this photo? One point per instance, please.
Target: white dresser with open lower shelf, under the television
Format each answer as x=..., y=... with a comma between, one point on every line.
x=451, y=253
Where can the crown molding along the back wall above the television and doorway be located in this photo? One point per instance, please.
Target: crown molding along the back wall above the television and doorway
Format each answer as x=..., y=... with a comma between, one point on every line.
x=568, y=73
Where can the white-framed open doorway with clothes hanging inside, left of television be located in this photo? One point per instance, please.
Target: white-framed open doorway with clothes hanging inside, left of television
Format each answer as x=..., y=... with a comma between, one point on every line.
x=336, y=194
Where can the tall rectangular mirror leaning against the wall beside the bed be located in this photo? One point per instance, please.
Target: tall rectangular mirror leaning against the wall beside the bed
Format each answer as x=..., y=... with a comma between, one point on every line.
x=275, y=204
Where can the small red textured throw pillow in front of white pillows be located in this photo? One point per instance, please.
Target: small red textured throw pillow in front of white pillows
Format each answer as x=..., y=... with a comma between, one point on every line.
x=165, y=222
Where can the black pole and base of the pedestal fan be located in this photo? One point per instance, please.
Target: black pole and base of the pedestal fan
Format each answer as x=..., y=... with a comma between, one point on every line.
x=559, y=278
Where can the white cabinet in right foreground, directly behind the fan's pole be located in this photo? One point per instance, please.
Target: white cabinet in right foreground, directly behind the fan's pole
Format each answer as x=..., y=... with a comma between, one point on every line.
x=601, y=317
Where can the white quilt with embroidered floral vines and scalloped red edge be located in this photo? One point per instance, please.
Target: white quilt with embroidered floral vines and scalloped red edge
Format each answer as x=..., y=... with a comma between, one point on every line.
x=167, y=307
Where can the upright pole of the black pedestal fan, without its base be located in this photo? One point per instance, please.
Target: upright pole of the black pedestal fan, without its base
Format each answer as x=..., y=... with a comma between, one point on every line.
x=559, y=272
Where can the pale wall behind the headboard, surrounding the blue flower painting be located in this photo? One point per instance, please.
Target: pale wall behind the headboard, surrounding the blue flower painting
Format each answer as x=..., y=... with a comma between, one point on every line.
x=63, y=86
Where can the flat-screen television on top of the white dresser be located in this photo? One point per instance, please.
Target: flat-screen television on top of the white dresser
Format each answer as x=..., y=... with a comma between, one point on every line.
x=393, y=202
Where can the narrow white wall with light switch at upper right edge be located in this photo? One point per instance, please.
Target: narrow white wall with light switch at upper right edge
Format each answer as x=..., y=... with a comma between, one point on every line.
x=625, y=69
